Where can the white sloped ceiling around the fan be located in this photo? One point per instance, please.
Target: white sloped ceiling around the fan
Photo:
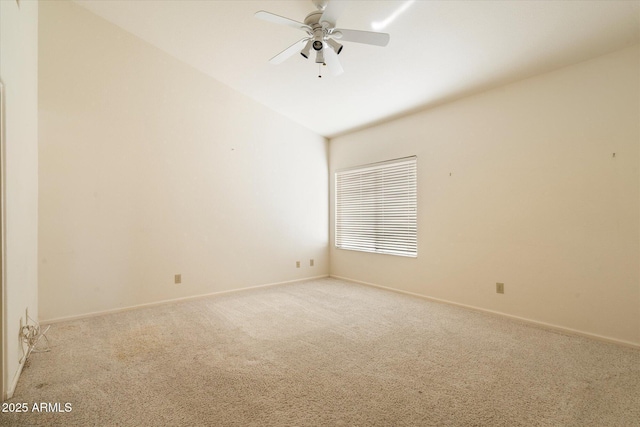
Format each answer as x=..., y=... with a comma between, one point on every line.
x=439, y=50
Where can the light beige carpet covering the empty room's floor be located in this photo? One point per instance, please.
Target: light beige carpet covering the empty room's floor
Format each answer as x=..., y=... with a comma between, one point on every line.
x=324, y=353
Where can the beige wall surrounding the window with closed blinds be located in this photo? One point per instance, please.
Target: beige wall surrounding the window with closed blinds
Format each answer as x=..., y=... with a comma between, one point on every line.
x=519, y=185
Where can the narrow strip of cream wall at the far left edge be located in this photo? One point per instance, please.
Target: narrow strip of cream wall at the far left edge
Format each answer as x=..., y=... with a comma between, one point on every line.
x=19, y=74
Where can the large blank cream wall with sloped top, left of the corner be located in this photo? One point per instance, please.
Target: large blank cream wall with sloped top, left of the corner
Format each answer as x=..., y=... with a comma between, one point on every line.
x=149, y=168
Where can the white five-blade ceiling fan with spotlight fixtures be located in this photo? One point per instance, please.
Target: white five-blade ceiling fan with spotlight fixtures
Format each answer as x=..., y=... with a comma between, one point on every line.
x=322, y=34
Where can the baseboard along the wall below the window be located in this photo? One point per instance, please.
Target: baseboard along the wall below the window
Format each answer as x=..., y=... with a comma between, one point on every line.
x=510, y=316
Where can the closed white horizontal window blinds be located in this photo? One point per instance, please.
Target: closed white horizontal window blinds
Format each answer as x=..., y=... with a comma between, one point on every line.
x=376, y=208
